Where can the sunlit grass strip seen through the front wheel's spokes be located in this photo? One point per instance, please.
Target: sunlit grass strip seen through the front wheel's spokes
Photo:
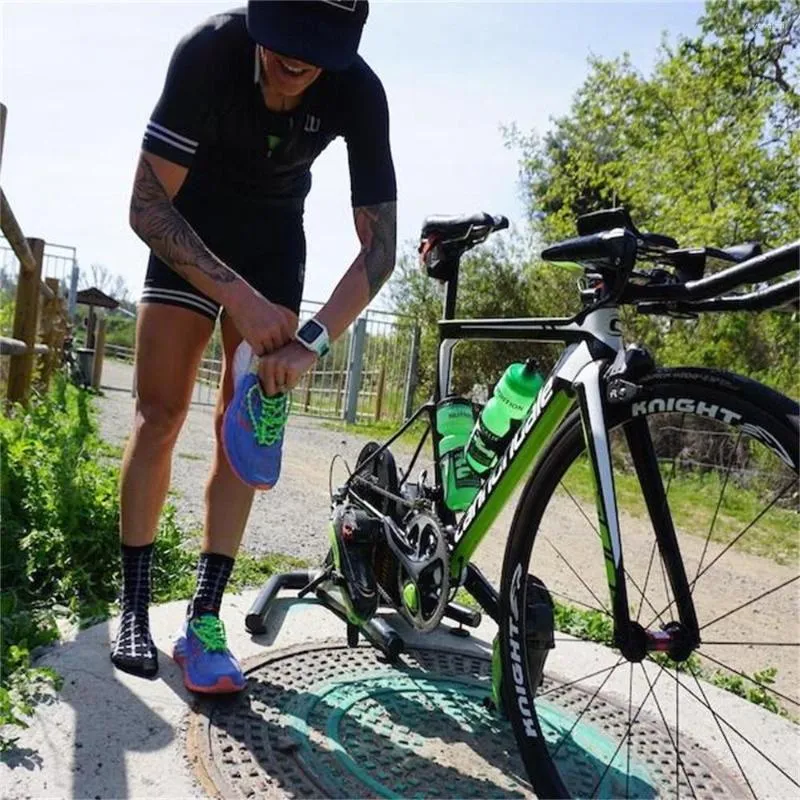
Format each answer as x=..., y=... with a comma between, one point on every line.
x=693, y=502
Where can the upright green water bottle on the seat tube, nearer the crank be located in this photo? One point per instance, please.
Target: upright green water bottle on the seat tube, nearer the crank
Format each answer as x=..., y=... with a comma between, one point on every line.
x=454, y=422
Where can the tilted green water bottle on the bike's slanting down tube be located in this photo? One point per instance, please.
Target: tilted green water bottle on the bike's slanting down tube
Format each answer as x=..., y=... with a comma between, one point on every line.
x=512, y=399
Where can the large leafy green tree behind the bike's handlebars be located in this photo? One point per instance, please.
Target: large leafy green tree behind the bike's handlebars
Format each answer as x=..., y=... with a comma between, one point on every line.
x=706, y=149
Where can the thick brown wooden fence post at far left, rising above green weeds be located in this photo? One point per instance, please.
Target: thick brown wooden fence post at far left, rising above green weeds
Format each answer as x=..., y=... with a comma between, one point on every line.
x=26, y=324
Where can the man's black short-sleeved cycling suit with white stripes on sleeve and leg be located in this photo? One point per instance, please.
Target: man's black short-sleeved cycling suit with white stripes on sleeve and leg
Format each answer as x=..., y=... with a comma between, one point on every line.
x=249, y=167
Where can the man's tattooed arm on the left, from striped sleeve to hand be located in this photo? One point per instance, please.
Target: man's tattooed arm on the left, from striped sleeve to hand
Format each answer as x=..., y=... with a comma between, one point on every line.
x=164, y=230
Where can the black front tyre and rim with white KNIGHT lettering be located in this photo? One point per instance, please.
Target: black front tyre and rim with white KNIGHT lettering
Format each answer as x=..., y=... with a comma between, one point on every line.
x=756, y=404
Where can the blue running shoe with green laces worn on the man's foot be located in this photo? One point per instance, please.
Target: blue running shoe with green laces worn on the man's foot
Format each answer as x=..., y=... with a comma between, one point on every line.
x=202, y=653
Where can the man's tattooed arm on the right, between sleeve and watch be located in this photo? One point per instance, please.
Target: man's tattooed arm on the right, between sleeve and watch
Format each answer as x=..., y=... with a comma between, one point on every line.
x=377, y=229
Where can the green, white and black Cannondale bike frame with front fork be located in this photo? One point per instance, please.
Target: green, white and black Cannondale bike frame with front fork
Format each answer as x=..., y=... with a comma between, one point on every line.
x=594, y=342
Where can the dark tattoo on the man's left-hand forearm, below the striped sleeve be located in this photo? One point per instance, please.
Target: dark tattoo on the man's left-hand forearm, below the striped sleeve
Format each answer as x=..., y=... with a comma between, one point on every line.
x=167, y=233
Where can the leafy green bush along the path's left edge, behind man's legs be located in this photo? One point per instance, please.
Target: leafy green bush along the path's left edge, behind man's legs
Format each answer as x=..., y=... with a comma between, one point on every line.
x=60, y=526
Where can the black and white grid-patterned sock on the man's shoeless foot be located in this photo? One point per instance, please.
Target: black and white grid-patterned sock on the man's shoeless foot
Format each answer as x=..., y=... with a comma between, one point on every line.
x=133, y=650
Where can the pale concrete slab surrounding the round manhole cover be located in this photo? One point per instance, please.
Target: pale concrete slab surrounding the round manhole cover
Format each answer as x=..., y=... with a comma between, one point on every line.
x=111, y=735
